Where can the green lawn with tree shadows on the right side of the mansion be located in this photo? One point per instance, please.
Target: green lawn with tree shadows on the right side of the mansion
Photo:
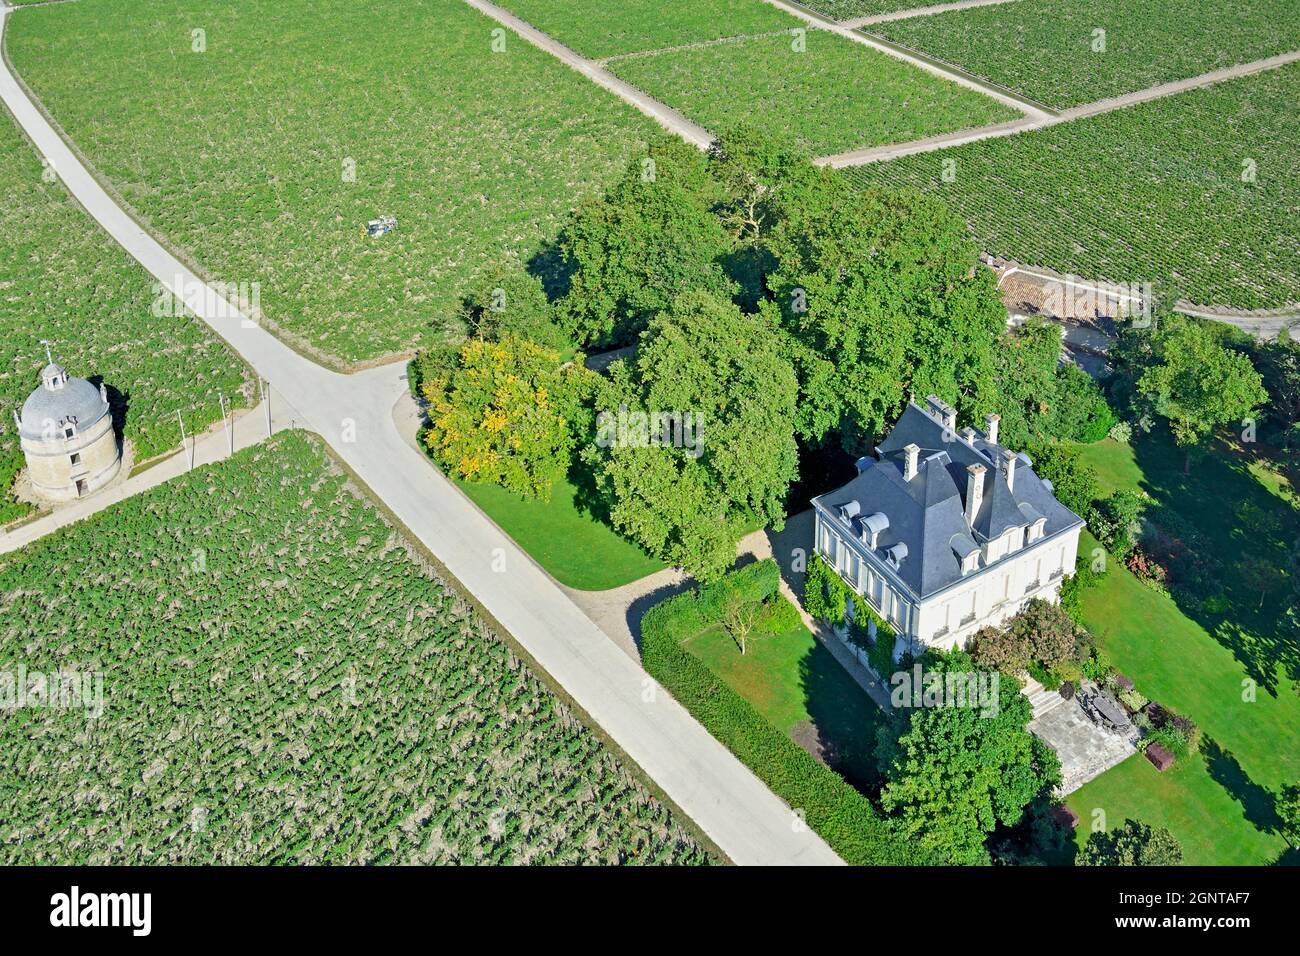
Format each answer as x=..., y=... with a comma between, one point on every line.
x=1202, y=661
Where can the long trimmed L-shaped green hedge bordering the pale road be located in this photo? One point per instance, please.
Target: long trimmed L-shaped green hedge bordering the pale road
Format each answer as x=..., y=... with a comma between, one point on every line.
x=838, y=812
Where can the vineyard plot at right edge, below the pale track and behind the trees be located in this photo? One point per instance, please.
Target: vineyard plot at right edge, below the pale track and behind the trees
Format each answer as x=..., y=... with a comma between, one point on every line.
x=1198, y=193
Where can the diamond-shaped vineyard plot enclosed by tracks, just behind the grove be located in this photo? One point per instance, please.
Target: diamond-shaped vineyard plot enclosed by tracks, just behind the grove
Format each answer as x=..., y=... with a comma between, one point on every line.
x=833, y=97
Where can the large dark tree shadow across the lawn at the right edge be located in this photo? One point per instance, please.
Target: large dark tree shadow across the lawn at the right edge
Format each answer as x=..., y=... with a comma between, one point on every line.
x=1230, y=539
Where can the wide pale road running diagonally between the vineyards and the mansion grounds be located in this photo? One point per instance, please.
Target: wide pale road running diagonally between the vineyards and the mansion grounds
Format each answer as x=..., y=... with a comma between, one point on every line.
x=354, y=414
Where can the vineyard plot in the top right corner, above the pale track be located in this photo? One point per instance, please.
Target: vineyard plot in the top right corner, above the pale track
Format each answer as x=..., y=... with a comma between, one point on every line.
x=1054, y=54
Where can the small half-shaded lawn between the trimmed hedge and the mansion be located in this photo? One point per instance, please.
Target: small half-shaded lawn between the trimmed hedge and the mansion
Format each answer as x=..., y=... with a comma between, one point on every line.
x=801, y=690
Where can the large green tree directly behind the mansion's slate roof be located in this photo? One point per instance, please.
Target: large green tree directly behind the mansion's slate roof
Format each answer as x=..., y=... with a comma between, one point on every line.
x=883, y=296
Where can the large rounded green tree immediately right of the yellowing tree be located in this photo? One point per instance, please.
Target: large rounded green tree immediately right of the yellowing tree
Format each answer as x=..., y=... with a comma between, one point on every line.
x=720, y=378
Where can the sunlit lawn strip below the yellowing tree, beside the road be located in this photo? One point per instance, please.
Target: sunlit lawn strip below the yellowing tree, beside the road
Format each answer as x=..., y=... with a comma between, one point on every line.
x=574, y=547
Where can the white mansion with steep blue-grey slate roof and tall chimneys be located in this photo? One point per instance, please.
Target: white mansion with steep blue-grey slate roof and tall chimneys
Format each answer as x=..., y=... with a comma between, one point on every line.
x=947, y=531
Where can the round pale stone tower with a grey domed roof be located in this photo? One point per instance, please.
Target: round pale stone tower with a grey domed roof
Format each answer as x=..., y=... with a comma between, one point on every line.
x=67, y=435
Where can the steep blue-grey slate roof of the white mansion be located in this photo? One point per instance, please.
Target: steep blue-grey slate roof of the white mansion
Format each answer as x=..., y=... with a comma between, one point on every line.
x=928, y=516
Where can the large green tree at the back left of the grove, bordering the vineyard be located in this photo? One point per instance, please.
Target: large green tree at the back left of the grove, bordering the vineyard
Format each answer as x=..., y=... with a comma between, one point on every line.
x=651, y=237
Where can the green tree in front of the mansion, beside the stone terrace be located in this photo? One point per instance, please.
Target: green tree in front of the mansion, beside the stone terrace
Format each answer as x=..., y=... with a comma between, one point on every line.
x=952, y=775
